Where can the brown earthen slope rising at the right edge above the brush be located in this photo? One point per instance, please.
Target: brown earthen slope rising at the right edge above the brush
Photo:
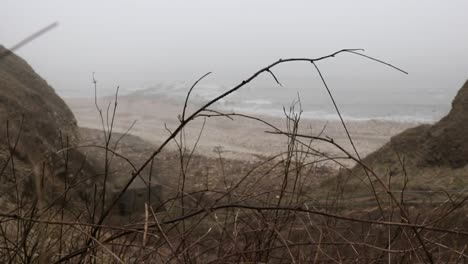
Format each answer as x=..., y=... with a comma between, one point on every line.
x=432, y=156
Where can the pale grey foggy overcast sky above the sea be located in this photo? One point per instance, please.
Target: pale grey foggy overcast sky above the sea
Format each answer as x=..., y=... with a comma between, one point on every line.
x=136, y=43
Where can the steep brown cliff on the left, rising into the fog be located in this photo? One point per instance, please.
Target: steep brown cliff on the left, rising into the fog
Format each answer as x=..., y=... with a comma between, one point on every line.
x=32, y=115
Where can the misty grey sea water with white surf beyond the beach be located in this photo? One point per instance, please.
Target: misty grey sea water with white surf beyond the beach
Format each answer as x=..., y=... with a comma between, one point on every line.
x=404, y=106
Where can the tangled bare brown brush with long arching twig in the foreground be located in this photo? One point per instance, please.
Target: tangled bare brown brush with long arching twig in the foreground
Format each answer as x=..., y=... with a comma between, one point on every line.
x=216, y=210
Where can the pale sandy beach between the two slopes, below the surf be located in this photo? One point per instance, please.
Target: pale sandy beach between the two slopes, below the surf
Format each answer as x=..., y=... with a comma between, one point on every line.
x=239, y=138
